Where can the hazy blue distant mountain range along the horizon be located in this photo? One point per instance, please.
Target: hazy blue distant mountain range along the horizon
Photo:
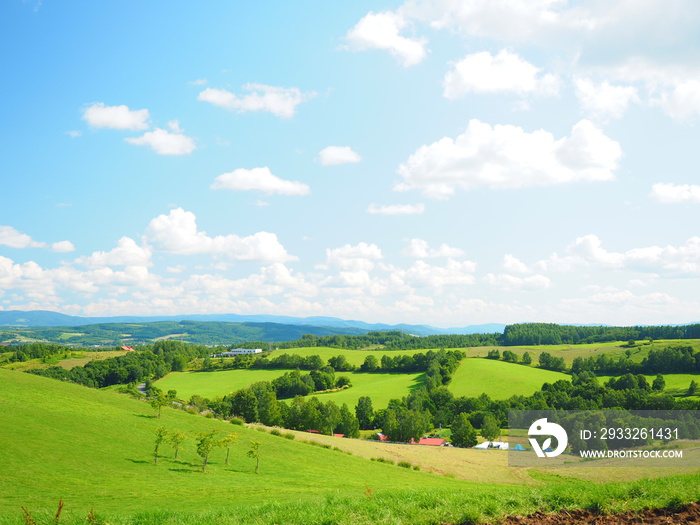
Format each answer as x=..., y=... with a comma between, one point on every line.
x=42, y=318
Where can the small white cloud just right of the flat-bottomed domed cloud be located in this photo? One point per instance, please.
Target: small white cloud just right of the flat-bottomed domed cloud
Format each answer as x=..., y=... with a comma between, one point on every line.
x=604, y=100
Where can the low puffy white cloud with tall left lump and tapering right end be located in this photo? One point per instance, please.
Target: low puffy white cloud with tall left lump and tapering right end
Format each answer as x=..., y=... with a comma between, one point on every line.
x=177, y=233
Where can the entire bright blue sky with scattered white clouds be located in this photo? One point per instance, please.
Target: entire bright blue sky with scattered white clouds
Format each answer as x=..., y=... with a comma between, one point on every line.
x=427, y=161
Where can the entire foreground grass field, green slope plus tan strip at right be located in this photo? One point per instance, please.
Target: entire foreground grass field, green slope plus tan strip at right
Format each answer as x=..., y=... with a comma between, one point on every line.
x=94, y=449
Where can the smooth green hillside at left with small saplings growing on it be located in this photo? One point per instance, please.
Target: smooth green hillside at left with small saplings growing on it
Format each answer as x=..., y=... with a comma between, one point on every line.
x=95, y=449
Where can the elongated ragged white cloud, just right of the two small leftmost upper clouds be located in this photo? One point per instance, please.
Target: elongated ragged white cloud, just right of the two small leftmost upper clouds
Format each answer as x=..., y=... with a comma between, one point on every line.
x=279, y=101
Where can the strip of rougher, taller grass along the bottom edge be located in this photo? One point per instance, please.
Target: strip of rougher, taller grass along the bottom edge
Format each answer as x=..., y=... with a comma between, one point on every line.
x=416, y=507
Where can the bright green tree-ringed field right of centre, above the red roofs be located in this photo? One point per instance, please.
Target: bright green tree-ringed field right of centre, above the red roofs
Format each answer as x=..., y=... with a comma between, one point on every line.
x=498, y=379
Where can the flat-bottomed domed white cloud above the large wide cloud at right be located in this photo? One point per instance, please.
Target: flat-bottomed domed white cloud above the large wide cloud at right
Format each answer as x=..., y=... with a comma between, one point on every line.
x=504, y=73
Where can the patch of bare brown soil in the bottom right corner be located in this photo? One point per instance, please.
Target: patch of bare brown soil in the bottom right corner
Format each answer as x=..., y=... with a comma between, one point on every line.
x=687, y=514
